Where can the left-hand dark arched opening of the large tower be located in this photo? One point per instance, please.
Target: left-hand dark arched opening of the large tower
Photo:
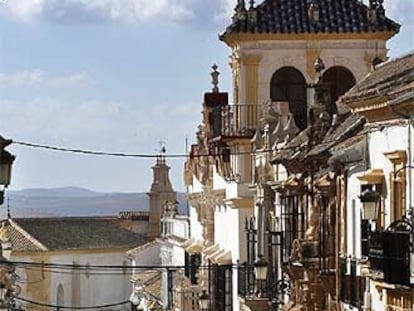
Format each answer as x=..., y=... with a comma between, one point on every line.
x=289, y=85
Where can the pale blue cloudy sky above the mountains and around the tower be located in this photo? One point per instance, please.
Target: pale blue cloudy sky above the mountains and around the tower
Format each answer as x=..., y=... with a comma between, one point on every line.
x=114, y=75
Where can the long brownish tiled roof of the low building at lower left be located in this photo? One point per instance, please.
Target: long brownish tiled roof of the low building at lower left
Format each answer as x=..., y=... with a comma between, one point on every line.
x=34, y=234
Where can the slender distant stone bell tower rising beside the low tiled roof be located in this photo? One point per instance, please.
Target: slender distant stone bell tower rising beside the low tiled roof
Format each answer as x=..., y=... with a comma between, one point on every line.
x=161, y=192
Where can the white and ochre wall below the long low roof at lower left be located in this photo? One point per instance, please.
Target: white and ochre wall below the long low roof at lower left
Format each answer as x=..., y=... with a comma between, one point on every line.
x=95, y=289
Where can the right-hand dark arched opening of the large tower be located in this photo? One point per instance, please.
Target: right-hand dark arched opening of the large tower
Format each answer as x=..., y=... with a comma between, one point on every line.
x=339, y=80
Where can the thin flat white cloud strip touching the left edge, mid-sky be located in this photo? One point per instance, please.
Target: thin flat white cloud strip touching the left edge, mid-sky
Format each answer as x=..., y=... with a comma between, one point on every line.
x=38, y=77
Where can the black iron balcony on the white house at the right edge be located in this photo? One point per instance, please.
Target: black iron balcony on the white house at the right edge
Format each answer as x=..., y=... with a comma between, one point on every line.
x=389, y=252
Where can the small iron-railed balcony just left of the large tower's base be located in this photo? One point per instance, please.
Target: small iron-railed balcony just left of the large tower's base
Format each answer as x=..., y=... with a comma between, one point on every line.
x=234, y=121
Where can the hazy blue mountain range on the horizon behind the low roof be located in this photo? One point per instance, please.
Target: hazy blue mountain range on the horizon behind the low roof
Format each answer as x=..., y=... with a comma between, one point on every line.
x=74, y=201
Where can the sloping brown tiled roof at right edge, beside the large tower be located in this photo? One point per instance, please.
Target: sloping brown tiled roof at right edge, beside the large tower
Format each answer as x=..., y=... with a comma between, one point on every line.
x=394, y=78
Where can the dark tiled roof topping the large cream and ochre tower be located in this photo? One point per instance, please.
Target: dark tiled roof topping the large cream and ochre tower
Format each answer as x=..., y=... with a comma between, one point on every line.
x=291, y=16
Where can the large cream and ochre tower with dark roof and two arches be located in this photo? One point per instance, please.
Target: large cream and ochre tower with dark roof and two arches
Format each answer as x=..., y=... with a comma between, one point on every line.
x=275, y=43
